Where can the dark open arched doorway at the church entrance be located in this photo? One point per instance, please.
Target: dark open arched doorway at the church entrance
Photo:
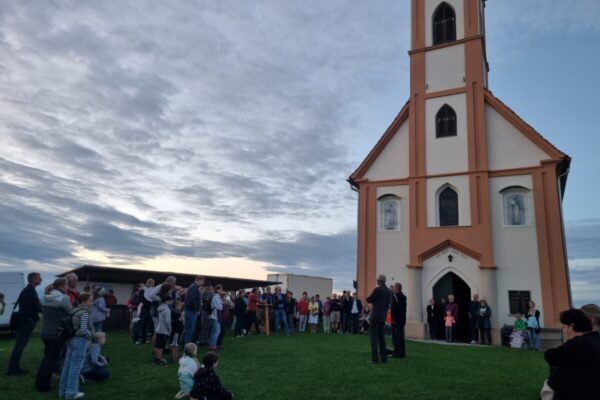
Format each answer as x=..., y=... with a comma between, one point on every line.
x=453, y=284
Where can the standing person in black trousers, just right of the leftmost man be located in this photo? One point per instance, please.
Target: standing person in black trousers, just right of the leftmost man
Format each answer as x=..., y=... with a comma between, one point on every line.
x=55, y=306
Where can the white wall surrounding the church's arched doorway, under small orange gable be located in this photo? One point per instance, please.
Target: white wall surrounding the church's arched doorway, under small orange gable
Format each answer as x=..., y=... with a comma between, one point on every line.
x=434, y=268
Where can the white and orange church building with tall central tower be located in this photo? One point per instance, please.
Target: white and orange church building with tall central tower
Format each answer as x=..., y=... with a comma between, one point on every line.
x=460, y=195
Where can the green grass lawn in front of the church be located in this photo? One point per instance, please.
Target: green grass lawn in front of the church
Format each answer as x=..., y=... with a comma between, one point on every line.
x=307, y=367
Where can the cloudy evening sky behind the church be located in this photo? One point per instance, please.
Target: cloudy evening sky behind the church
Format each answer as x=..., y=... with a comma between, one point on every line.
x=217, y=136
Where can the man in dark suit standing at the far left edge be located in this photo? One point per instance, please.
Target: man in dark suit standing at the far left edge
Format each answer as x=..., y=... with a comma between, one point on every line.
x=29, y=309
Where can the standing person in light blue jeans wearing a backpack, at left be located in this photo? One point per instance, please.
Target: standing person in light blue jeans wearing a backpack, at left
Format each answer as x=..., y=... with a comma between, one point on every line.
x=76, y=348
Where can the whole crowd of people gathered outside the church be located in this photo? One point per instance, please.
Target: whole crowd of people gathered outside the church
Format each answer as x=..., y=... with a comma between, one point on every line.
x=173, y=318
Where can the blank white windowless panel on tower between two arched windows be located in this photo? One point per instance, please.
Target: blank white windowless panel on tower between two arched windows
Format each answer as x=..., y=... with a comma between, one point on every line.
x=445, y=68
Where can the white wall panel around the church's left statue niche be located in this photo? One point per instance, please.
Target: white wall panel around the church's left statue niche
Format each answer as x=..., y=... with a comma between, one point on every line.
x=392, y=254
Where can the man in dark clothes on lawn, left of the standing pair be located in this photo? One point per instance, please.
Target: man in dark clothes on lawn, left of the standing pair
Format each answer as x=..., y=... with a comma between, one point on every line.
x=380, y=300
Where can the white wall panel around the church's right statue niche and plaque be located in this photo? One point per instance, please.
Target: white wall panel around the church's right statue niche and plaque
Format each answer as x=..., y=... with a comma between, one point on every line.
x=515, y=249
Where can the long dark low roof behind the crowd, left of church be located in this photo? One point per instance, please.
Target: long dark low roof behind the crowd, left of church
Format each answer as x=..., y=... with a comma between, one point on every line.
x=95, y=273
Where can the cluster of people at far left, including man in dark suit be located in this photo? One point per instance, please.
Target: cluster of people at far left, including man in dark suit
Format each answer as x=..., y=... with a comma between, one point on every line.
x=71, y=345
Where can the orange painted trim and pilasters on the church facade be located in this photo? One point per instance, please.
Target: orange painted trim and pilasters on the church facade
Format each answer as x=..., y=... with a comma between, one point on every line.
x=475, y=240
